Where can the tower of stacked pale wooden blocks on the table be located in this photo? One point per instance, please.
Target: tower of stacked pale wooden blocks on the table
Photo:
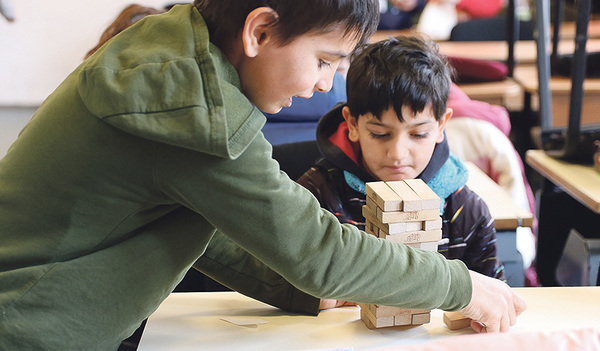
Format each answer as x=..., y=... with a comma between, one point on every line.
x=406, y=212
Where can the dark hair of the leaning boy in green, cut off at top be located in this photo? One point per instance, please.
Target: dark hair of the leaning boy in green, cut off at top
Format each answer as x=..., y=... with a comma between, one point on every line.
x=226, y=18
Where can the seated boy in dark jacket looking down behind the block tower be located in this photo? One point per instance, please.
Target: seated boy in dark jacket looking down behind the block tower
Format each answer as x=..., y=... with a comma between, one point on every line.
x=392, y=128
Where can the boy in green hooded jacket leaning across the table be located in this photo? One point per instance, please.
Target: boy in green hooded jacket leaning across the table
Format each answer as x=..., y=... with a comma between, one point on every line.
x=148, y=159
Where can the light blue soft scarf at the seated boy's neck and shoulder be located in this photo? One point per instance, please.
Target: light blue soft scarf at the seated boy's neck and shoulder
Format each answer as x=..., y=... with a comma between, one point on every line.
x=452, y=176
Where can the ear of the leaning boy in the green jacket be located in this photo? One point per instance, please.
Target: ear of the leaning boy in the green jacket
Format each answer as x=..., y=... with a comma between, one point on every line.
x=258, y=29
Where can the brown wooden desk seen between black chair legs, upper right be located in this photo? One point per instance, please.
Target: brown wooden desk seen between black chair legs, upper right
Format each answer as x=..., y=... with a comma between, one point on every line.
x=560, y=87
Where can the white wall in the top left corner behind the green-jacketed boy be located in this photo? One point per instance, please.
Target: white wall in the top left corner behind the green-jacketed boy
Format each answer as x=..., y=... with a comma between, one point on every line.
x=47, y=41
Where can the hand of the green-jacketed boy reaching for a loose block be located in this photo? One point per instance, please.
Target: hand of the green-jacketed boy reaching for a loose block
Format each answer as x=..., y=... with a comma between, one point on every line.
x=494, y=307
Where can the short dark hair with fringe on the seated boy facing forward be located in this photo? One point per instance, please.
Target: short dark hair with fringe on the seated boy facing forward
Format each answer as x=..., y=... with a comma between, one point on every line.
x=397, y=72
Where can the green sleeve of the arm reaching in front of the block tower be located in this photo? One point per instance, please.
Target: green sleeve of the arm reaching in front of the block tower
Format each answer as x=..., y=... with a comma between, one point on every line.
x=282, y=225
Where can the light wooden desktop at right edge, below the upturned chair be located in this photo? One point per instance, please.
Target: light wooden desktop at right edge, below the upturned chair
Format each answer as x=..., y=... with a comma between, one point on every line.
x=582, y=182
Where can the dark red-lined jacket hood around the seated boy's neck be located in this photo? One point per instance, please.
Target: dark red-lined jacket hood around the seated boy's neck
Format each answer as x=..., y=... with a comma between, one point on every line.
x=337, y=149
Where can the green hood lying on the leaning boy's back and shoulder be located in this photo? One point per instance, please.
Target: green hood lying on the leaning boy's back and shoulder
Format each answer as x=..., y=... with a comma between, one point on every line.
x=163, y=80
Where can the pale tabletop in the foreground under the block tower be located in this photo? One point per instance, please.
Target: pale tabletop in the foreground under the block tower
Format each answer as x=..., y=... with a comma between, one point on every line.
x=192, y=321
